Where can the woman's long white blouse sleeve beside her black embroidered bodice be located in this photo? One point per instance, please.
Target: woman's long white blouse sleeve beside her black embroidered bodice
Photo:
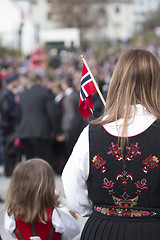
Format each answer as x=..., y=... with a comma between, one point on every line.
x=75, y=175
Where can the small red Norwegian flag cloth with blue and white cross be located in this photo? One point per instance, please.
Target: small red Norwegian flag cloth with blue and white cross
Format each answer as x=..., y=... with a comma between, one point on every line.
x=87, y=88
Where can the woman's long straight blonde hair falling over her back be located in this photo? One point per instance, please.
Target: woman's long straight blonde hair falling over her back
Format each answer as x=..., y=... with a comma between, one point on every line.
x=135, y=80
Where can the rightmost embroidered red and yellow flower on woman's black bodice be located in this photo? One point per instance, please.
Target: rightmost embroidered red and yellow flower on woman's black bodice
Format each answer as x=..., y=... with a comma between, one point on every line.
x=150, y=163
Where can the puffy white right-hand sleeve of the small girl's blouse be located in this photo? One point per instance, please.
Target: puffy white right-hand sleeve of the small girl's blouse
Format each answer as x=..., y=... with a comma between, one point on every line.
x=64, y=223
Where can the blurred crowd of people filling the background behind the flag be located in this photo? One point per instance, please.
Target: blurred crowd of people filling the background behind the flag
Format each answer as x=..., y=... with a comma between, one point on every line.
x=39, y=100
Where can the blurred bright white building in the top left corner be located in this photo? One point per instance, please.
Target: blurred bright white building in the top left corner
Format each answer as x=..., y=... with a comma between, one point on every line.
x=16, y=30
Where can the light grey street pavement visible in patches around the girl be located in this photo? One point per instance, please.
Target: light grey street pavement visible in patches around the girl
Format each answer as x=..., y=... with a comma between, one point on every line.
x=4, y=183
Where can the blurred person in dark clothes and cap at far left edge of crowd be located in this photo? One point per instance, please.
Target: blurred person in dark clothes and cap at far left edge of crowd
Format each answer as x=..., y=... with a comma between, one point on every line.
x=8, y=112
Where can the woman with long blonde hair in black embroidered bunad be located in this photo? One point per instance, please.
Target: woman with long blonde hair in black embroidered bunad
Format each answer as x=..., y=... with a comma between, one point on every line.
x=113, y=171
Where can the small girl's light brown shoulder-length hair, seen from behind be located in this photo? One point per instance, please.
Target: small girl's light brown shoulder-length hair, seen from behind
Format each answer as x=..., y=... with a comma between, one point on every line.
x=31, y=191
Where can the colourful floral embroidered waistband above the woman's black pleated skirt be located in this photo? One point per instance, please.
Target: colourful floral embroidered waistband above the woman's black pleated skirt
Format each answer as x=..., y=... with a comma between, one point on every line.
x=125, y=212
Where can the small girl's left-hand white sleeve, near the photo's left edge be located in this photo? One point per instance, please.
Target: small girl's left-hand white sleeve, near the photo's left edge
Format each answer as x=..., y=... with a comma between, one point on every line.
x=10, y=225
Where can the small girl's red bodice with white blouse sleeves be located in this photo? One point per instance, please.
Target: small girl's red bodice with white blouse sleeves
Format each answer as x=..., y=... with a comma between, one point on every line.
x=60, y=225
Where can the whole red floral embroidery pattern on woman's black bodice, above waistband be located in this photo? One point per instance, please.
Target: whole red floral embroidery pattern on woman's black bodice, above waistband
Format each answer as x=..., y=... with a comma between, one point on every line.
x=132, y=151
